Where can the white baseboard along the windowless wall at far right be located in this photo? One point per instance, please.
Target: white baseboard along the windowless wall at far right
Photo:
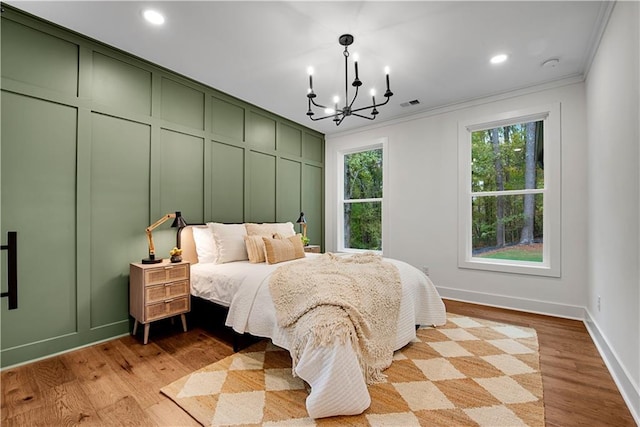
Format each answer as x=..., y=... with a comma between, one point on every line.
x=629, y=391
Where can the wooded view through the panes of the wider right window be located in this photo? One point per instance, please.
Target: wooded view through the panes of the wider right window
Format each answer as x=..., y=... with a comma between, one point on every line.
x=507, y=185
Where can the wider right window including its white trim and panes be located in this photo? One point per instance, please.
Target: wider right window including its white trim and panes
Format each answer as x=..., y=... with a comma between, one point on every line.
x=509, y=193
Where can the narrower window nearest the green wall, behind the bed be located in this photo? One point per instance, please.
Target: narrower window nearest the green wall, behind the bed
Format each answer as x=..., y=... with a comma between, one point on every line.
x=361, y=191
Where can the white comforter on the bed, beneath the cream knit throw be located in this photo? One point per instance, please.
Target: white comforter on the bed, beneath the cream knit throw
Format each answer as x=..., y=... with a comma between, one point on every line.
x=337, y=383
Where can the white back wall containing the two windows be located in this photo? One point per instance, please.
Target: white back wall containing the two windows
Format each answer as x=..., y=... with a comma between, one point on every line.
x=422, y=200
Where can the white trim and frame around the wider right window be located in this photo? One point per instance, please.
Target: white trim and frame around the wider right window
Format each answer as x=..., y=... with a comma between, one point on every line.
x=552, y=194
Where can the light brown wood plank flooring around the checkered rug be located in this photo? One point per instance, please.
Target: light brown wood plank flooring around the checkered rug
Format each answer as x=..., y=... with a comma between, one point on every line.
x=117, y=382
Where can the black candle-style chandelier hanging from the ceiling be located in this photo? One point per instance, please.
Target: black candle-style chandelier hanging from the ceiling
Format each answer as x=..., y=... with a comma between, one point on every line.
x=338, y=115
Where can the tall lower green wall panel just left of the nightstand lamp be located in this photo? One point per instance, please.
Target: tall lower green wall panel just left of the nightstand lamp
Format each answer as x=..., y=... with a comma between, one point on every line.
x=119, y=212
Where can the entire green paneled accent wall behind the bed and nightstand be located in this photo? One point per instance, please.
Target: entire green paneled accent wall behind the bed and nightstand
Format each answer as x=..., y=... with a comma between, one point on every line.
x=96, y=145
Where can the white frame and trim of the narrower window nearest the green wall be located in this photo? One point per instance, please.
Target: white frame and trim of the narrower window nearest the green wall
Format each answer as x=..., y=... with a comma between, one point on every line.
x=377, y=144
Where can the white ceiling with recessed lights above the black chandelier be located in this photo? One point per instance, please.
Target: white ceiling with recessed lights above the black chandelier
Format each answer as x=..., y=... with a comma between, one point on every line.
x=259, y=51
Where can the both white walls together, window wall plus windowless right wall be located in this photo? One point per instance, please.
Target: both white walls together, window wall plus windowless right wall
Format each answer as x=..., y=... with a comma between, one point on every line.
x=600, y=200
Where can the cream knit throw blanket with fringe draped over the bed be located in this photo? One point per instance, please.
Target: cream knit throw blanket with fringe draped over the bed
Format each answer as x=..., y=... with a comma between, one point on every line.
x=335, y=299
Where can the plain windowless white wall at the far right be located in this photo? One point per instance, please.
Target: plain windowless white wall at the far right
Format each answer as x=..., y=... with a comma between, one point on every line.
x=613, y=116
